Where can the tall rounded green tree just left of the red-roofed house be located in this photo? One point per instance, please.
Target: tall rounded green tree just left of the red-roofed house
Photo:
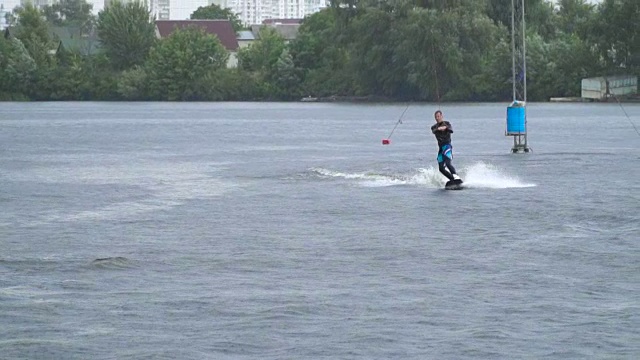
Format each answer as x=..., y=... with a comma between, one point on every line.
x=127, y=33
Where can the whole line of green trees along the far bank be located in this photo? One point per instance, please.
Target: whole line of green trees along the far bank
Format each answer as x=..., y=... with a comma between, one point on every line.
x=422, y=50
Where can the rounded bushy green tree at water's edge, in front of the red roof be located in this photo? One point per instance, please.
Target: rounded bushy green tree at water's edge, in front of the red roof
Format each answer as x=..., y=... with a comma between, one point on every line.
x=183, y=66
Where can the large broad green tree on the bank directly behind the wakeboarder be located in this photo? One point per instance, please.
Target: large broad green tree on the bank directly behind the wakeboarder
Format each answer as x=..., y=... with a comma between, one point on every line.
x=445, y=50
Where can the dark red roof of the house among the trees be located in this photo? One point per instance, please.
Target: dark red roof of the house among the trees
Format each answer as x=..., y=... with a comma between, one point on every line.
x=221, y=28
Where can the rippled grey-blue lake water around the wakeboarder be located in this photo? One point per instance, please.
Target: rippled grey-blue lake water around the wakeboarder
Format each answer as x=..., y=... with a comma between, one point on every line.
x=287, y=231
